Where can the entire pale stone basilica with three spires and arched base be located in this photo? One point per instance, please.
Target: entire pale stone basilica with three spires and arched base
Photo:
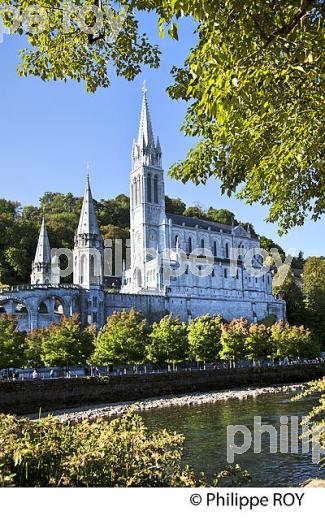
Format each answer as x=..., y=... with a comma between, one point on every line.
x=179, y=265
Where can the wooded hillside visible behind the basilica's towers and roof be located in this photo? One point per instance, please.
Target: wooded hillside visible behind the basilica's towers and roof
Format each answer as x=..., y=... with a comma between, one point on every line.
x=19, y=228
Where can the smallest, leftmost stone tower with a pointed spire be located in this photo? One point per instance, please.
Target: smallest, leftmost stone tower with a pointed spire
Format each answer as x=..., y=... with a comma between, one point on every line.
x=44, y=270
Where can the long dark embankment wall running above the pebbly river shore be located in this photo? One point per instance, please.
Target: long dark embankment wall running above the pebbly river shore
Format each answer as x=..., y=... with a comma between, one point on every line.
x=29, y=396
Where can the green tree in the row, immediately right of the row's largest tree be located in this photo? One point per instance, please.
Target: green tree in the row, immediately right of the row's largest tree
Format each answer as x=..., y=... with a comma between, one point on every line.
x=168, y=341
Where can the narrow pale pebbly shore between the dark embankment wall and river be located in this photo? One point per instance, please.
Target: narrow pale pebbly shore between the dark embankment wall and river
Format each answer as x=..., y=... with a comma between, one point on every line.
x=108, y=410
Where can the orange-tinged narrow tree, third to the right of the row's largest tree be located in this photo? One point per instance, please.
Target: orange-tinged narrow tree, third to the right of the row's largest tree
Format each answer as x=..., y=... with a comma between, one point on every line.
x=233, y=340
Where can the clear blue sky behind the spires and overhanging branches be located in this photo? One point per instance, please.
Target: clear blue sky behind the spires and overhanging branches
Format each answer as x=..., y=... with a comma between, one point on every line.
x=50, y=131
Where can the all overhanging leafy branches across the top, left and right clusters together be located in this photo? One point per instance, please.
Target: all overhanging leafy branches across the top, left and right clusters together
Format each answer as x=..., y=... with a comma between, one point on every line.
x=253, y=84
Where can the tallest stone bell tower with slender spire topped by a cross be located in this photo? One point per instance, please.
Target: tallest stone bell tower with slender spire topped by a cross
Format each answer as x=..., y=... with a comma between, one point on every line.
x=148, y=217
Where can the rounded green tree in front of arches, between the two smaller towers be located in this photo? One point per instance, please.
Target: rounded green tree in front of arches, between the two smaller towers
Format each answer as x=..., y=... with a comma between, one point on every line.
x=67, y=343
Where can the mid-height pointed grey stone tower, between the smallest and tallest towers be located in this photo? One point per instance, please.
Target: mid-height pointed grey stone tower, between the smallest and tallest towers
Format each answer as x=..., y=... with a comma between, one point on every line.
x=88, y=250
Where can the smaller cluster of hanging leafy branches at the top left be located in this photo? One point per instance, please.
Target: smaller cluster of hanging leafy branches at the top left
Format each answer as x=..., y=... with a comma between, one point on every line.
x=62, y=51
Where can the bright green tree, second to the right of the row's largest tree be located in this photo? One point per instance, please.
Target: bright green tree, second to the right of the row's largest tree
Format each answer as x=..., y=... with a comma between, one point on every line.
x=204, y=335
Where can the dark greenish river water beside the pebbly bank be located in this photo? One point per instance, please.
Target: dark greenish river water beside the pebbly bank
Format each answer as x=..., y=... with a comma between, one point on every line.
x=205, y=430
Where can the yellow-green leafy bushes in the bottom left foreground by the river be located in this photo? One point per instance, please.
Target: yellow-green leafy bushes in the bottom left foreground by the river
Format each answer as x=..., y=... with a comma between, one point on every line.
x=119, y=453
